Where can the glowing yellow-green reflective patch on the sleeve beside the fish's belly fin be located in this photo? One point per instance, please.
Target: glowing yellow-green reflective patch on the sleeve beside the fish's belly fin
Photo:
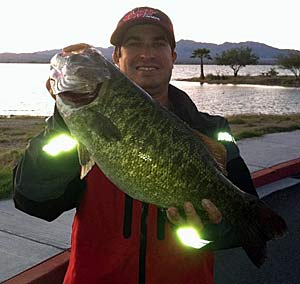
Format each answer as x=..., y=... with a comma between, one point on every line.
x=59, y=144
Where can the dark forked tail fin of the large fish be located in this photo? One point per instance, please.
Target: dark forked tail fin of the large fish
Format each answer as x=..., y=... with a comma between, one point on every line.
x=262, y=225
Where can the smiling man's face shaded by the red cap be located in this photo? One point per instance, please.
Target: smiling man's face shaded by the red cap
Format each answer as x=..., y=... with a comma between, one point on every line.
x=146, y=57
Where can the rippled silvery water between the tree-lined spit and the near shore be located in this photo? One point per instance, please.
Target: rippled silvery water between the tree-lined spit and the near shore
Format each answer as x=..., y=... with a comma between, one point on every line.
x=242, y=99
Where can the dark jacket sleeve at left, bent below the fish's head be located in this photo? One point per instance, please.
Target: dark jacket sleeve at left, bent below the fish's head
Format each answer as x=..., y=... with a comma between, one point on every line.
x=45, y=186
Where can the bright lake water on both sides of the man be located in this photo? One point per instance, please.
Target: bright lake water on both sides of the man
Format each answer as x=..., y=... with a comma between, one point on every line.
x=24, y=92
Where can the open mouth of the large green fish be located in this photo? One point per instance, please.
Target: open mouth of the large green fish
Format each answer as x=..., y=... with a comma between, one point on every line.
x=77, y=100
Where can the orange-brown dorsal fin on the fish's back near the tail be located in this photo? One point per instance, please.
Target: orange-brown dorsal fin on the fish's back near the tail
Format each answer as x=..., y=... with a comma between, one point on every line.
x=217, y=150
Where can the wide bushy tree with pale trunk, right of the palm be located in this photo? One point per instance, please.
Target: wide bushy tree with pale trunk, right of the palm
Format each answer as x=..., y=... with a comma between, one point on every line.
x=236, y=58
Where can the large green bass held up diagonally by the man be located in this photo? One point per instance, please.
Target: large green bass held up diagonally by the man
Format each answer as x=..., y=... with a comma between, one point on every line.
x=147, y=151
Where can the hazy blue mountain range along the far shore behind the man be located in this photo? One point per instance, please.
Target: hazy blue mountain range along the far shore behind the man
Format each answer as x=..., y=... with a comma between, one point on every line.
x=184, y=48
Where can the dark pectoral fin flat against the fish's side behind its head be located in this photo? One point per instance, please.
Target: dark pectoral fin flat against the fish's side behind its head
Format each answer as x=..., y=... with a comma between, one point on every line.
x=105, y=127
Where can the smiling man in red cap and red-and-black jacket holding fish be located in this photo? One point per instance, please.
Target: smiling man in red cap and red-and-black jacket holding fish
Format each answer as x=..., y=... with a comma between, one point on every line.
x=116, y=239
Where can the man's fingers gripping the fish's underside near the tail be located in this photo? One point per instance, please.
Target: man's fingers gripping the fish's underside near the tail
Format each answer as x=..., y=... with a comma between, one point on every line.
x=192, y=218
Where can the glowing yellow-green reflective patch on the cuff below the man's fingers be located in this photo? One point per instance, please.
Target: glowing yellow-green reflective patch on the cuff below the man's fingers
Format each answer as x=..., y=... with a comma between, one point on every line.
x=190, y=237
